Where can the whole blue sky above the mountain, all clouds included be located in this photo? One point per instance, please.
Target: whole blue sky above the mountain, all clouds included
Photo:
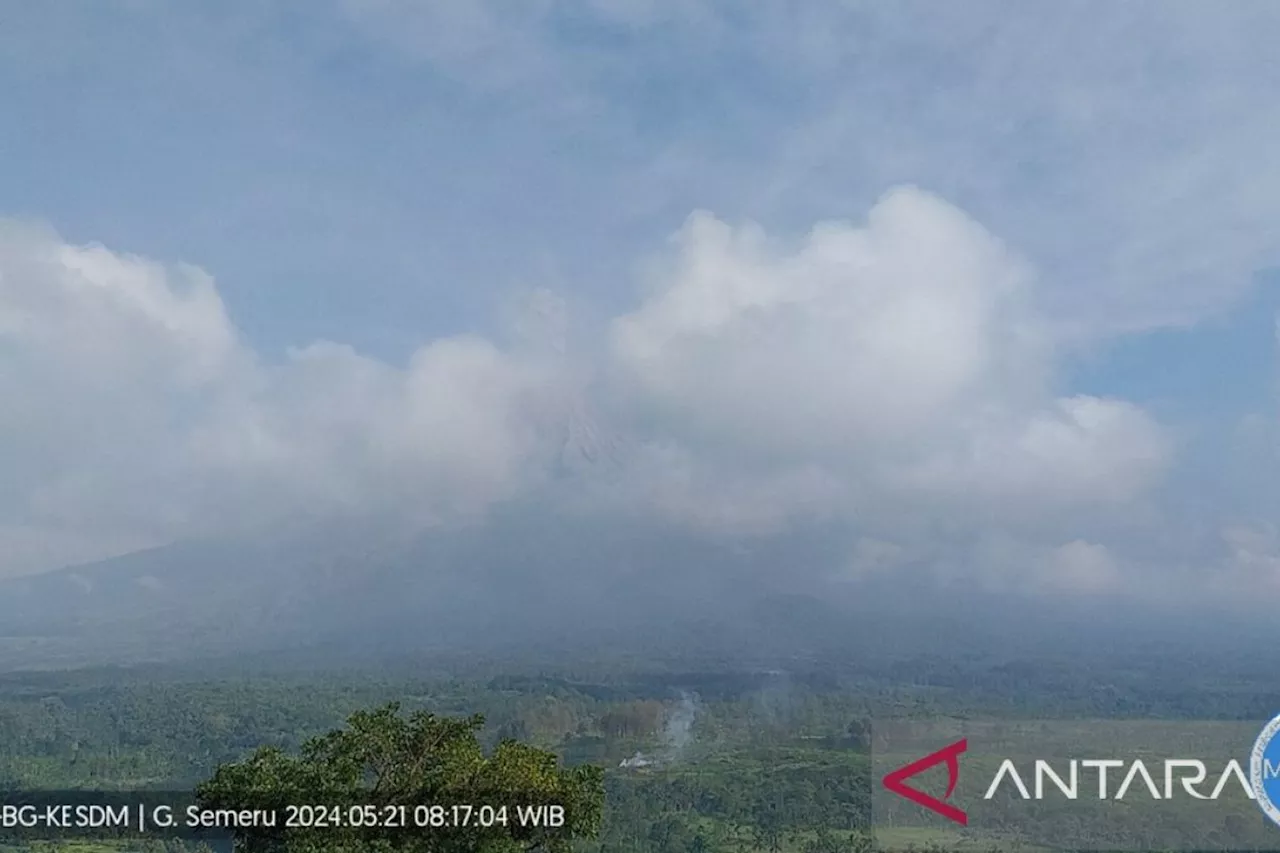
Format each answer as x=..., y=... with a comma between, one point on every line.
x=386, y=175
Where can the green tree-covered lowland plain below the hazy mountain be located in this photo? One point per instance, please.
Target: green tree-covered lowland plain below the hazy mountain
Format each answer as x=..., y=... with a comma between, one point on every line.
x=743, y=760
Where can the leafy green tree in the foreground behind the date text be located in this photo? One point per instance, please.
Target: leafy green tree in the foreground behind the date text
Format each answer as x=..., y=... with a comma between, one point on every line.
x=420, y=784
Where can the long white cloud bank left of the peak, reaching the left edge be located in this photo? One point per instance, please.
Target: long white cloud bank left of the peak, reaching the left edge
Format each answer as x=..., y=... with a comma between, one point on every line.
x=135, y=413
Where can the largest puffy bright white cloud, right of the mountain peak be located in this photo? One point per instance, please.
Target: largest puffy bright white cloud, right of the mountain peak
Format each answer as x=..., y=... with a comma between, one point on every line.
x=904, y=354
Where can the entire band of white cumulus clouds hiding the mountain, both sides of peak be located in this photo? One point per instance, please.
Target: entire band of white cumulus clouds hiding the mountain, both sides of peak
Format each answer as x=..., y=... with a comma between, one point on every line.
x=879, y=375
